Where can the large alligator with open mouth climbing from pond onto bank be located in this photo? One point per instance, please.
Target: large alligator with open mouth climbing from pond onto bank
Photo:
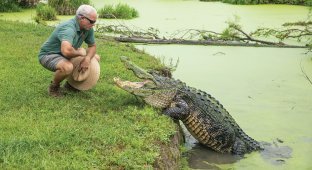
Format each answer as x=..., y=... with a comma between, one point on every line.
x=203, y=116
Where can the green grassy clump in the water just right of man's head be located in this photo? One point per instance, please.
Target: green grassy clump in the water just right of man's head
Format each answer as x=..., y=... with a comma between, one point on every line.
x=120, y=11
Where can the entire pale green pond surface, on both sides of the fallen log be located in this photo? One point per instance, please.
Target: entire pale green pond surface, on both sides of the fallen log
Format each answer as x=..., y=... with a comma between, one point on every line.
x=264, y=89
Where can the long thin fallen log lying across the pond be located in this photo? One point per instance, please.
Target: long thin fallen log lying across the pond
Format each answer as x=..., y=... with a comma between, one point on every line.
x=202, y=42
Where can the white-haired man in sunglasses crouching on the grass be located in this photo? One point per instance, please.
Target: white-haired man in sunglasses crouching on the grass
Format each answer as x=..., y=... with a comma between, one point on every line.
x=65, y=43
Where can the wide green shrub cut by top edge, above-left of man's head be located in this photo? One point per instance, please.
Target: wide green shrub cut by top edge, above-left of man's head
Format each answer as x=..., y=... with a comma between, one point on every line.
x=67, y=7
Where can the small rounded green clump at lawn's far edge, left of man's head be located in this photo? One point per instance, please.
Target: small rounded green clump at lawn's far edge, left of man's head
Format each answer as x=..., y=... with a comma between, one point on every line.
x=45, y=13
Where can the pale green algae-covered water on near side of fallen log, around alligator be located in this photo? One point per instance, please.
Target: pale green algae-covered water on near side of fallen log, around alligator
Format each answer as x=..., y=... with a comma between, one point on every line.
x=266, y=92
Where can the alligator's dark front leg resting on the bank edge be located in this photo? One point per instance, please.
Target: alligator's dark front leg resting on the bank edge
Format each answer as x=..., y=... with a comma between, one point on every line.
x=179, y=111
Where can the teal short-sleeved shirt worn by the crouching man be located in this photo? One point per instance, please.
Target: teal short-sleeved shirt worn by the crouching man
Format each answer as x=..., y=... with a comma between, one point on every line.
x=69, y=31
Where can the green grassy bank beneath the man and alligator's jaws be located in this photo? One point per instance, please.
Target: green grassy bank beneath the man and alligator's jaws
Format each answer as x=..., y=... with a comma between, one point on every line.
x=103, y=128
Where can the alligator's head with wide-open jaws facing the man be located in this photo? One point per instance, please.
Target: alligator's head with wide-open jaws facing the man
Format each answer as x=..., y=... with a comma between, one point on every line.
x=155, y=90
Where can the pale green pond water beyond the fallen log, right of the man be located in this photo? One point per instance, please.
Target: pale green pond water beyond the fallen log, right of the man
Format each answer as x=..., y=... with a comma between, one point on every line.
x=173, y=15
